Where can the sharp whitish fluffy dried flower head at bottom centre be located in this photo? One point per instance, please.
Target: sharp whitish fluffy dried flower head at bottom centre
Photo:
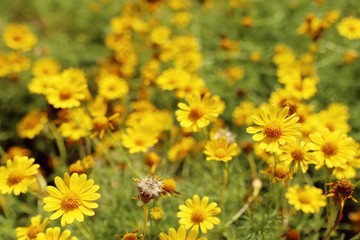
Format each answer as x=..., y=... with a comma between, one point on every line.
x=149, y=188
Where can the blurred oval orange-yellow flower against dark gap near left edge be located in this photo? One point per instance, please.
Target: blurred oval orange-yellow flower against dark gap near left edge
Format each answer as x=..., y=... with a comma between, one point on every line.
x=32, y=124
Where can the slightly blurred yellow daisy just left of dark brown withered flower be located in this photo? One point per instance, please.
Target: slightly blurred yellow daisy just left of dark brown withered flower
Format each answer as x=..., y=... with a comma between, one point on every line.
x=308, y=199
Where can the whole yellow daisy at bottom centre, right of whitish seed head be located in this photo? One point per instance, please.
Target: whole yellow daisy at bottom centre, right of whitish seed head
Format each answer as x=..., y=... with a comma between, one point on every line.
x=198, y=213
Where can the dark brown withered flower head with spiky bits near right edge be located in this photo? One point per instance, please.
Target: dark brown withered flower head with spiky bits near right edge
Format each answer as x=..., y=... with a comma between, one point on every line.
x=341, y=191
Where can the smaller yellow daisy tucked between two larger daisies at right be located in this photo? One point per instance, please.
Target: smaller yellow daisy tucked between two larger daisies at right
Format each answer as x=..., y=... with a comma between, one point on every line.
x=297, y=154
